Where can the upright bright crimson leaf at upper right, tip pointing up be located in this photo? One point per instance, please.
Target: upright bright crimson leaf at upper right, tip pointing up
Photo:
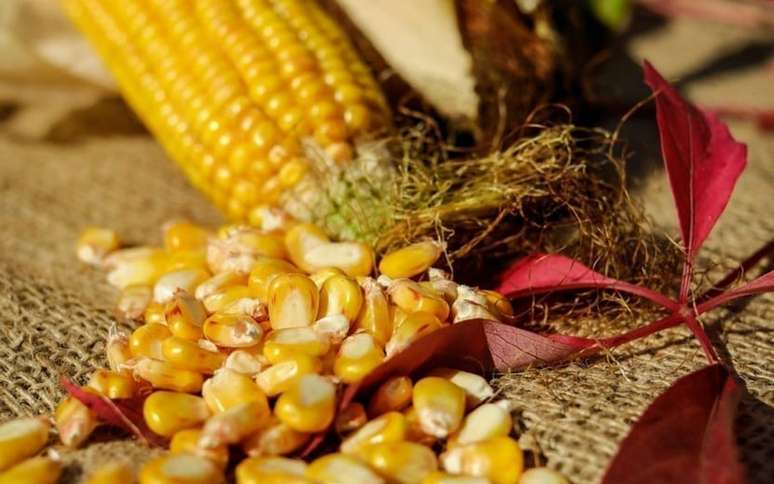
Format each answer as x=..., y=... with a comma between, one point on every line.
x=703, y=161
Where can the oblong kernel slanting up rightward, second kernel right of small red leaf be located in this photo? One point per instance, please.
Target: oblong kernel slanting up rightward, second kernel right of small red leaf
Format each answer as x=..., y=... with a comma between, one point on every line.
x=234, y=424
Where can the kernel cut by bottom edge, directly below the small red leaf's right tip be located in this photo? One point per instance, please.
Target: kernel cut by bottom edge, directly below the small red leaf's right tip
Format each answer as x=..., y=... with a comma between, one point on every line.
x=180, y=469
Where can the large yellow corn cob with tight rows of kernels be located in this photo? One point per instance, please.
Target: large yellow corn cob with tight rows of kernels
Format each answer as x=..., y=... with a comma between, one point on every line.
x=231, y=88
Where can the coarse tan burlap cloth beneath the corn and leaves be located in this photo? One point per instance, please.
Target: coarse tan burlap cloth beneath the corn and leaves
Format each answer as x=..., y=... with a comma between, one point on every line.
x=69, y=158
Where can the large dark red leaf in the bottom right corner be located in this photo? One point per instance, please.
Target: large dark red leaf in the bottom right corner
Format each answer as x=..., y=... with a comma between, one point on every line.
x=685, y=436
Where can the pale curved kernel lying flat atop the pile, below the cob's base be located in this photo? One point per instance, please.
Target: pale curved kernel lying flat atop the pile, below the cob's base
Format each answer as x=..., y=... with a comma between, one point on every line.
x=354, y=258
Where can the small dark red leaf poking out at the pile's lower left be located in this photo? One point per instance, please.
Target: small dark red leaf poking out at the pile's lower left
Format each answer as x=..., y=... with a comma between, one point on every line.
x=122, y=413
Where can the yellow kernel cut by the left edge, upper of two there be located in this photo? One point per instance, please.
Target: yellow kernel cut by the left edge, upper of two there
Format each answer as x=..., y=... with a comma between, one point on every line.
x=21, y=438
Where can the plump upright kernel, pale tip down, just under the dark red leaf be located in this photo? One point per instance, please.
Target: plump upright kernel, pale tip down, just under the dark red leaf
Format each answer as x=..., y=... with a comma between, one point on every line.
x=440, y=405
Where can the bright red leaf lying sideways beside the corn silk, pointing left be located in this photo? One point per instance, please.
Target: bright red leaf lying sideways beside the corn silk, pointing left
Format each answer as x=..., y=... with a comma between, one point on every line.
x=542, y=273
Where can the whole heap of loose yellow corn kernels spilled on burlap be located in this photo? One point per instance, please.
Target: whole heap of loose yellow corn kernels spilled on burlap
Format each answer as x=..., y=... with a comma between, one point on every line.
x=245, y=337
